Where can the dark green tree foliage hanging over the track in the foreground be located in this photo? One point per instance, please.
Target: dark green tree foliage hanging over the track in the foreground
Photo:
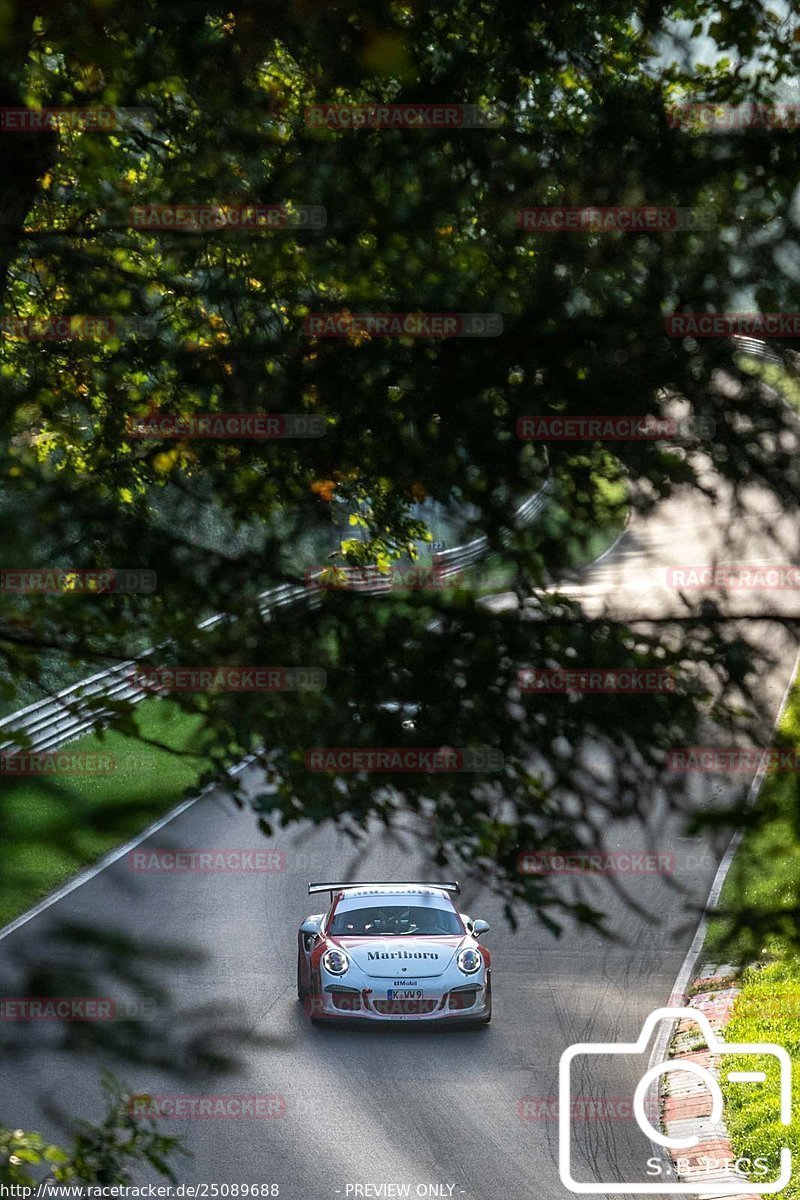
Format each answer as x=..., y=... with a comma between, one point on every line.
x=578, y=101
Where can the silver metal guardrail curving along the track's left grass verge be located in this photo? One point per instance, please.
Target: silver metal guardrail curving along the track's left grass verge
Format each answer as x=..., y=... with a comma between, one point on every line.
x=47, y=724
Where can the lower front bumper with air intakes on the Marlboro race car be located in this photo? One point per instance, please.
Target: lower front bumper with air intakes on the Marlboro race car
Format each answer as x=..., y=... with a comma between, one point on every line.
x=461, y=1003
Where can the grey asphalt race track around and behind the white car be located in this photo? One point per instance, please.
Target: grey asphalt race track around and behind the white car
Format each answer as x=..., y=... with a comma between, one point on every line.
x=360, y=1109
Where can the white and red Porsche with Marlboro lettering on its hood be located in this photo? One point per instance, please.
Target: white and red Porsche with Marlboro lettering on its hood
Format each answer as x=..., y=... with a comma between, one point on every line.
x=394, y=952
